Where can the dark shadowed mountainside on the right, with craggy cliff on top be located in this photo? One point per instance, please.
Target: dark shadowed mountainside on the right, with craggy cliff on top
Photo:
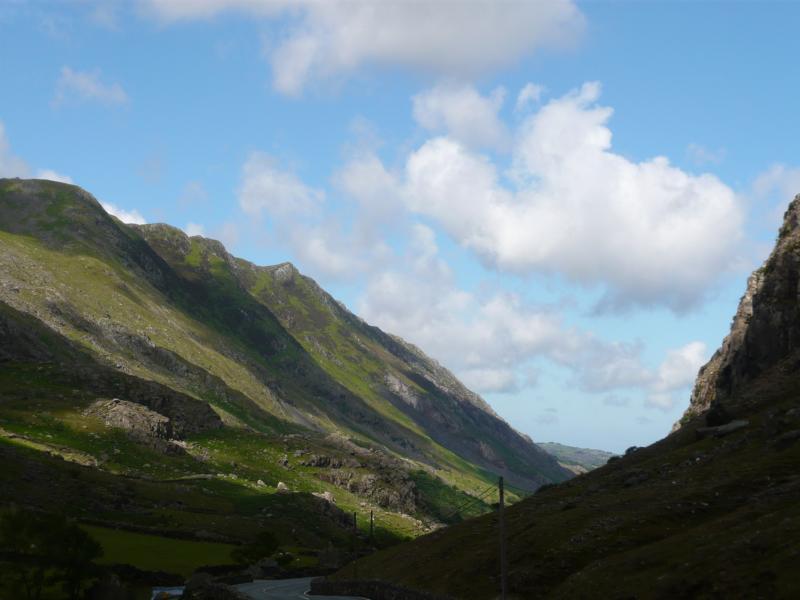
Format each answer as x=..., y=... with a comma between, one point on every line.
x=710, y=511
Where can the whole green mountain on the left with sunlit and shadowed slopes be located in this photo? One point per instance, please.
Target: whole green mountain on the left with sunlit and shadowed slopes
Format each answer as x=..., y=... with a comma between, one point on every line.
x=142, y=359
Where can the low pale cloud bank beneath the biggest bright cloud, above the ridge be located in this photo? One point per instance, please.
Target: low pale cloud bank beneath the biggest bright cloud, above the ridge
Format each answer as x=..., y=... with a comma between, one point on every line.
x=492, y=341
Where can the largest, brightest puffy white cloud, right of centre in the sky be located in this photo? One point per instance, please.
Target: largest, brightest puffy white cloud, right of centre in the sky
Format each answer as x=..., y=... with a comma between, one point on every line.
x=647, y=231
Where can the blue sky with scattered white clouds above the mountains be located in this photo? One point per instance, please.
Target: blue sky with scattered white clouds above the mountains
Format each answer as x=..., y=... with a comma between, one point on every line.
x=559, y=201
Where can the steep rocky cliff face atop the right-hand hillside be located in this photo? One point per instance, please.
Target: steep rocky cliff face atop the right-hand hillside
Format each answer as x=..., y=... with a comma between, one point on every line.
x=766, y=328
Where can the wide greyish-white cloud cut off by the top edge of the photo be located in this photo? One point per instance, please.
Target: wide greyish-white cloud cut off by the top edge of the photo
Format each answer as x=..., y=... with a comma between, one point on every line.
x=322, y=40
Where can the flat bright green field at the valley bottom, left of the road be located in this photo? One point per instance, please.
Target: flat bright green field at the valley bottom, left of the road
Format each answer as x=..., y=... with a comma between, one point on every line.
x=157, y=553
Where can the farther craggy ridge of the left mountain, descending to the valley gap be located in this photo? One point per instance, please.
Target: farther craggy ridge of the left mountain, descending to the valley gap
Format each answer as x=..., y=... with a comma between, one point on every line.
x=393, y=379
